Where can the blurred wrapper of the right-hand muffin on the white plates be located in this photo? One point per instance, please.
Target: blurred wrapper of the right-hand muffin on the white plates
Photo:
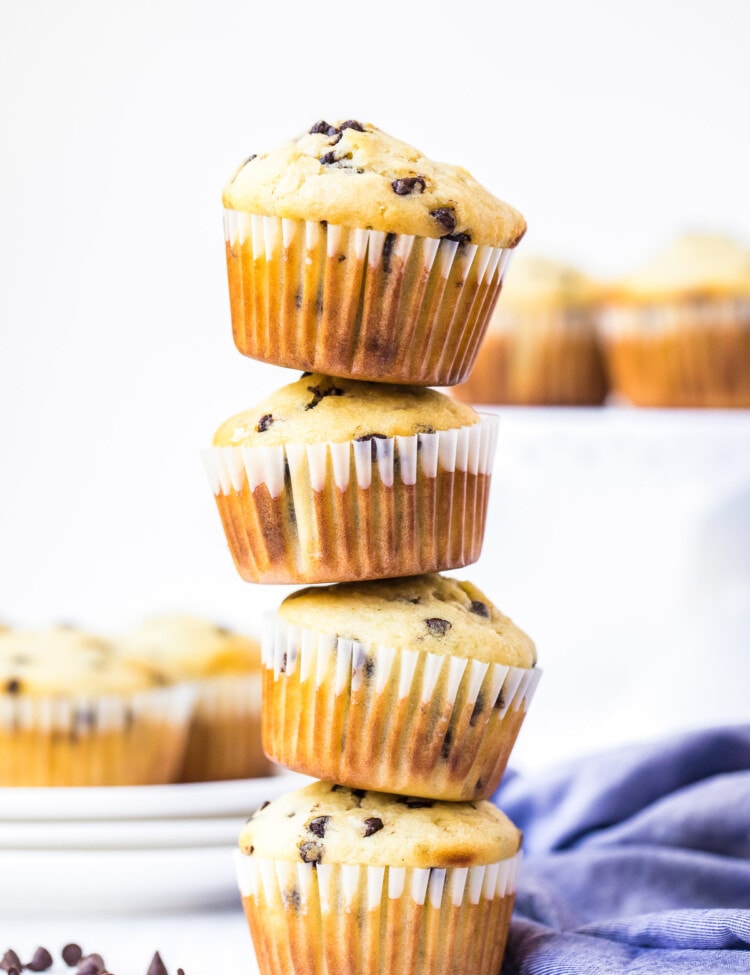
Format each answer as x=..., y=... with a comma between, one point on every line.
x=225, y=730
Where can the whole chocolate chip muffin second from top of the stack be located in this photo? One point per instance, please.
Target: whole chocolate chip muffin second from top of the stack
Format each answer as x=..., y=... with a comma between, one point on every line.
x=332, y=480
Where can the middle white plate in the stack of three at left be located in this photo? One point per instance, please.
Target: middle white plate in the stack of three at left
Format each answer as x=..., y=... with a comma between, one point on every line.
x=115, y=834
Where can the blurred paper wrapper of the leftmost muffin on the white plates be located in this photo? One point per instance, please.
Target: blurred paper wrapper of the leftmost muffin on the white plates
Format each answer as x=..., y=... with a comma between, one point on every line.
x=127, y=739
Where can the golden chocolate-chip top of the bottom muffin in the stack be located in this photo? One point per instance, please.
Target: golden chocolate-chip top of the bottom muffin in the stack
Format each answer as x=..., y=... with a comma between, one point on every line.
x=325, y=823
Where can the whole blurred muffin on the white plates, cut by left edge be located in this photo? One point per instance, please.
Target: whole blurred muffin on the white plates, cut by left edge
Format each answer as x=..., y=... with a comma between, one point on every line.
x=73, y=712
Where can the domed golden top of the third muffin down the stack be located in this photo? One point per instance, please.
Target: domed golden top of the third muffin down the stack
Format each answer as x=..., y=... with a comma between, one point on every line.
x=434, y=613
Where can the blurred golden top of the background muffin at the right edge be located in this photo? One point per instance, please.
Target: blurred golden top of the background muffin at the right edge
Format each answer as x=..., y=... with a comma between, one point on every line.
x=691, y=266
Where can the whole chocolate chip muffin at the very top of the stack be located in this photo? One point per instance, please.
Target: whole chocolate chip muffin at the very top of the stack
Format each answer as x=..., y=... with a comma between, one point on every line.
x=351, y=254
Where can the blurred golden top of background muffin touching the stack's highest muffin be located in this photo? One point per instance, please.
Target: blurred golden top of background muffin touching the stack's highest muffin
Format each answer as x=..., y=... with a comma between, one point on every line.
x=534, y=282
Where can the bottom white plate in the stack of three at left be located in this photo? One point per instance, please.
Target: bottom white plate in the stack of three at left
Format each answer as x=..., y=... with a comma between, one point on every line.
x=85, y=882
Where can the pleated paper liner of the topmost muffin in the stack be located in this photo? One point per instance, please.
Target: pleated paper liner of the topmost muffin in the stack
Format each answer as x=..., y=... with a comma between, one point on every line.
x=359, y=303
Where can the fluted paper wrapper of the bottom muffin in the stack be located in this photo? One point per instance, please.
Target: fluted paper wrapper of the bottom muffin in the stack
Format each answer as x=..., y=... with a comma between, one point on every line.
x=313, y=919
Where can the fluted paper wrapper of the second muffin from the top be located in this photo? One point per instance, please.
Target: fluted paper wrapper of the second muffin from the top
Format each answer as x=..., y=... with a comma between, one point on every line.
x=374, y=508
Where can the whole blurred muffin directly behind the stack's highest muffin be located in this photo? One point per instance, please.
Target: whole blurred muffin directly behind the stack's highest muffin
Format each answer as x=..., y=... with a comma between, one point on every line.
x=542, y=345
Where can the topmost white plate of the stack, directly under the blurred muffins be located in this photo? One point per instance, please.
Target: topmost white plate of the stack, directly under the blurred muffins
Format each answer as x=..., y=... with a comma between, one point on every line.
x=239, y=797
